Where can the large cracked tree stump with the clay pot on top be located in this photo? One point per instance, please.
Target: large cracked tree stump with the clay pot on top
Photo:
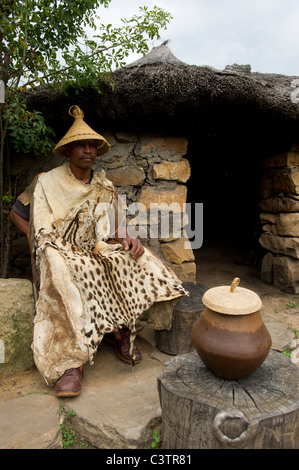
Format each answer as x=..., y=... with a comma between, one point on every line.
x=202, y=411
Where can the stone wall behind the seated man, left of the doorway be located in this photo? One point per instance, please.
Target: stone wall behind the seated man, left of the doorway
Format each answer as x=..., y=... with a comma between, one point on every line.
x=146, y=170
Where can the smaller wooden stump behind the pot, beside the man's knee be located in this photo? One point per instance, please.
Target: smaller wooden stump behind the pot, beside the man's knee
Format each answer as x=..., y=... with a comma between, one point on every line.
x=187, y=310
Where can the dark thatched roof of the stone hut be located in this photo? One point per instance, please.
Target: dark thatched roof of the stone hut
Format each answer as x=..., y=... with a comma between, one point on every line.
x=160, y=91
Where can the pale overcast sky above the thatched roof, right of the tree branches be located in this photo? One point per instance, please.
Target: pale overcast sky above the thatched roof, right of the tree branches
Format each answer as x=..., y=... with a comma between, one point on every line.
x=262, y=33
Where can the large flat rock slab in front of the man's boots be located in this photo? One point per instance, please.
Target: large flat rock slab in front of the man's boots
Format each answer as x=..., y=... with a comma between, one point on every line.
x=119, y=405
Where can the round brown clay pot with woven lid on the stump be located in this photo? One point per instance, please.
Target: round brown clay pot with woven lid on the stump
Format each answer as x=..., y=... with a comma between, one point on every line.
x=230, y=336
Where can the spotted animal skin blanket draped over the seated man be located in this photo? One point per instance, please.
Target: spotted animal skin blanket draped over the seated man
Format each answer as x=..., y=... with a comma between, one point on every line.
x=86, y=286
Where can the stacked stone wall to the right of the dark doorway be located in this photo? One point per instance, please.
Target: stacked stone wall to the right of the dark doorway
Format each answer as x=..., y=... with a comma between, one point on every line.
x=280, y=220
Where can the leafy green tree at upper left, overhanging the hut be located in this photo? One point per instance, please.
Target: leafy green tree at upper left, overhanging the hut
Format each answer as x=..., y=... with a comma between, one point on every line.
x=44, y=42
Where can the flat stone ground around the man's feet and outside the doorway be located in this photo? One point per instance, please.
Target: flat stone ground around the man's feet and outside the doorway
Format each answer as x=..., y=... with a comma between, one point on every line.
x=119, y=406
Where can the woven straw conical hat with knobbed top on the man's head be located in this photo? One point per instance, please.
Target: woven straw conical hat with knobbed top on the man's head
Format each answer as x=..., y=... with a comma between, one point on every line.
x=80, y=131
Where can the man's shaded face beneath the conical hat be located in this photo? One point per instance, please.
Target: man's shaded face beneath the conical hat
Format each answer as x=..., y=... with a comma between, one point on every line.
x=83, y=153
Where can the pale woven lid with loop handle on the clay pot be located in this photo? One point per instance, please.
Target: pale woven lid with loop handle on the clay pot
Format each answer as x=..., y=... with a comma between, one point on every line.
x=232, y=300
